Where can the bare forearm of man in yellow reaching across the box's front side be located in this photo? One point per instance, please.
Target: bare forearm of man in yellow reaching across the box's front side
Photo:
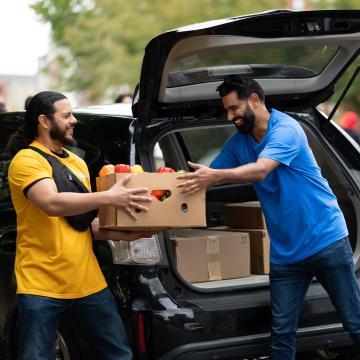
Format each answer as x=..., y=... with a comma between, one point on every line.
x=68, y=203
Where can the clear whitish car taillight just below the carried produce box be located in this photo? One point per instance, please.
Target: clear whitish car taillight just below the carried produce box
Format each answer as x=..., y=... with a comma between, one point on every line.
x=143, y=251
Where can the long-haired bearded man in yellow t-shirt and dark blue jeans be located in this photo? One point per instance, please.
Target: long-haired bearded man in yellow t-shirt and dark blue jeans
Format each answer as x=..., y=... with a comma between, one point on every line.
x=55, y=267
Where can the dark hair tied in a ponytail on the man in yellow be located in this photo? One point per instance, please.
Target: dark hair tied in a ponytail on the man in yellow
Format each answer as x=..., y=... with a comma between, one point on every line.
x=40, y=104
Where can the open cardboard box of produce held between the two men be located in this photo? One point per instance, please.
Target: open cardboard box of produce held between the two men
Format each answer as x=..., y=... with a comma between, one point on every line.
x=178, y=210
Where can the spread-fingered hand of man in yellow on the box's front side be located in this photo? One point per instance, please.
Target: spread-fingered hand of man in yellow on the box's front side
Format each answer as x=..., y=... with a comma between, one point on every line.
x=128, y=199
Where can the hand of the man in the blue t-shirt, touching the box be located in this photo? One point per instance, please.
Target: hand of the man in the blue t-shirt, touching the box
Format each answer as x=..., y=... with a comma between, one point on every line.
x=202, y=178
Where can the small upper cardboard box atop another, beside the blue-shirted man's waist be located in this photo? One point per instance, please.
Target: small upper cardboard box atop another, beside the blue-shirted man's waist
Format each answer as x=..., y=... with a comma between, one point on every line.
x=247, y=215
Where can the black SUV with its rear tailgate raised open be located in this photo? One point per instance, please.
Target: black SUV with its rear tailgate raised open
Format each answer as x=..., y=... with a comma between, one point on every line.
x=298, y=58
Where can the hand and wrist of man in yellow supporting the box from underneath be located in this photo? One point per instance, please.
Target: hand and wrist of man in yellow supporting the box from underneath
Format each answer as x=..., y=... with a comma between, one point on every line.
x=116, y=235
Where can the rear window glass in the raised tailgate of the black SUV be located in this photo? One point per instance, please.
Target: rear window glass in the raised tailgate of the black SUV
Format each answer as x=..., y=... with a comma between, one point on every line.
x=266, y=62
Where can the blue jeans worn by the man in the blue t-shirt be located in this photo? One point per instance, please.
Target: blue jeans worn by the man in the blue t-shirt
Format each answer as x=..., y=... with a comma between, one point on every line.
x=334, y=269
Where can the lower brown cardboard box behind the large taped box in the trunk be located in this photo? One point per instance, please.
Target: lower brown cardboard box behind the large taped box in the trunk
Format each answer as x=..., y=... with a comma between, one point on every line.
x=259, y=248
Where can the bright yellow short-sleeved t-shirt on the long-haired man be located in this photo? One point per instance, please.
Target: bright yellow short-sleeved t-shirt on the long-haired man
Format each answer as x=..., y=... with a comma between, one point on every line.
x=52, y=258
